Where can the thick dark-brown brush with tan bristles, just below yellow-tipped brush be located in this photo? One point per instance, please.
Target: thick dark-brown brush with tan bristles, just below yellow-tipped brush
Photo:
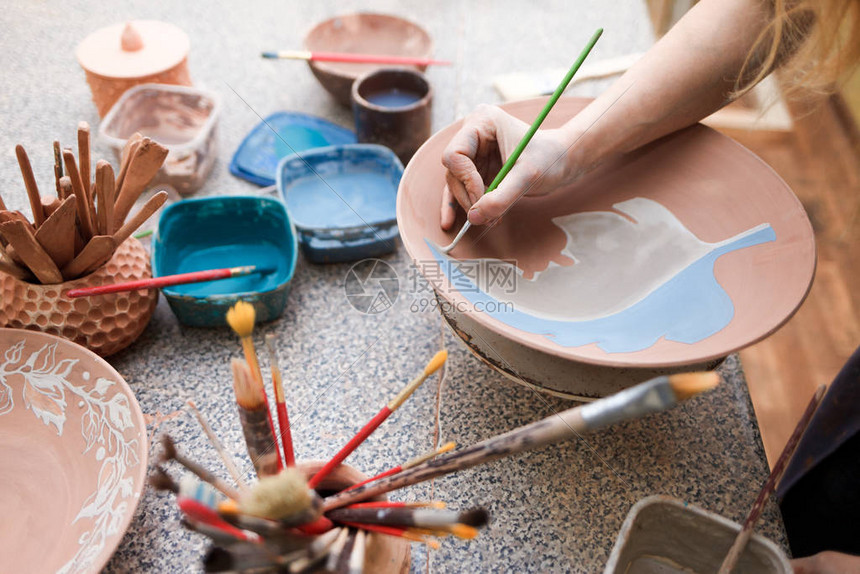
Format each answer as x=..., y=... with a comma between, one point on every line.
x=254, y=415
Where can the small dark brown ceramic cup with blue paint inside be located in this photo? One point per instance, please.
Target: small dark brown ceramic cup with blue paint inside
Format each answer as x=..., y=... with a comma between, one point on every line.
x=392, y=107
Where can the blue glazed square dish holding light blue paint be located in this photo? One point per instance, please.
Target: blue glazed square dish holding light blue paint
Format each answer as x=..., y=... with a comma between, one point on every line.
x=342, y=200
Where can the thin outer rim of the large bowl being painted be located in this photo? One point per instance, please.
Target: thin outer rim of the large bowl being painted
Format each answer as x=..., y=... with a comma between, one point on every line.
x=515, y=334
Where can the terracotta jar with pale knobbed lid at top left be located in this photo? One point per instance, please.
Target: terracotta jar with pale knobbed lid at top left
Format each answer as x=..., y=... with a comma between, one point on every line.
x=118, y=57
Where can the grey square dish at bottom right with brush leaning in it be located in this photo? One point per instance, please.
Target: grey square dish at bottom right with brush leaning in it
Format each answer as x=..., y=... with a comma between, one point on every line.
x=662, y=535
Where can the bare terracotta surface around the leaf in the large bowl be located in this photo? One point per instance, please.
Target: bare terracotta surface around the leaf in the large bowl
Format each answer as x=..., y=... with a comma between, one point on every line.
x=715, y=187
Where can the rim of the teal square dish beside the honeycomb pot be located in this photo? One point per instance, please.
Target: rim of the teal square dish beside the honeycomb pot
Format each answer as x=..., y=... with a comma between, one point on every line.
x=293, y=250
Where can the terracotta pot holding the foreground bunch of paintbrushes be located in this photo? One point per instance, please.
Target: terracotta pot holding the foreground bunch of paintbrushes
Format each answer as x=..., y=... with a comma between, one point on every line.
x=384, y=554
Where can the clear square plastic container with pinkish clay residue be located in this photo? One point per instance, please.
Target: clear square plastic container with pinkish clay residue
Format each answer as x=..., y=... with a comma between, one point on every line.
x=181, y=118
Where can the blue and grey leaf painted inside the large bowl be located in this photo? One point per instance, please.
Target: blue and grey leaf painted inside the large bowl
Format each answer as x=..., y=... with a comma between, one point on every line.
x=687, y=305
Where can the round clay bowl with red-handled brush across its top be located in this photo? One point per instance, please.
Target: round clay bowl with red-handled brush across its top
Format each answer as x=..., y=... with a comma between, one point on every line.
x=363, y=33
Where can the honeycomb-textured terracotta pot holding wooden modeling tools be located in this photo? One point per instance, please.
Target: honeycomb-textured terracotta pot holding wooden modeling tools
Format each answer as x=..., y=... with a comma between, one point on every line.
x=104, y=324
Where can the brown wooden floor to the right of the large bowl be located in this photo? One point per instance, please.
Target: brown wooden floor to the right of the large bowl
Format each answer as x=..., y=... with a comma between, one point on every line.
x=820, y=161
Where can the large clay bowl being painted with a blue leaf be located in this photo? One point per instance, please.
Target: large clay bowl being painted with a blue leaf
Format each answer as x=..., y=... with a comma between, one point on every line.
x=713, y=187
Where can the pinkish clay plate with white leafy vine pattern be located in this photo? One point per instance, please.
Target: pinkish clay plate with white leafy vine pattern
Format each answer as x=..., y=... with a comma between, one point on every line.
x=74, y=452
